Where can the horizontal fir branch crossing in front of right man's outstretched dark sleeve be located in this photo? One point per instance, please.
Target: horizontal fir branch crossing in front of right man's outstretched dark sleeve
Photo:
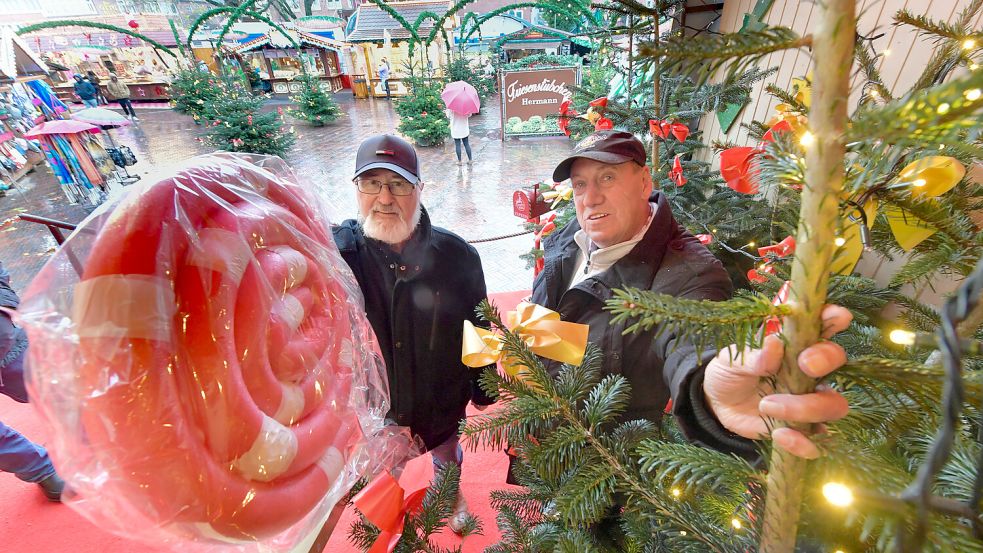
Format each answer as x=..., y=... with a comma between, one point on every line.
x=720, y=323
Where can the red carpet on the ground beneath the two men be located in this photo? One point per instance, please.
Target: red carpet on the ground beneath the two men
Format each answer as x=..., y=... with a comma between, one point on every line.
x=30, y=523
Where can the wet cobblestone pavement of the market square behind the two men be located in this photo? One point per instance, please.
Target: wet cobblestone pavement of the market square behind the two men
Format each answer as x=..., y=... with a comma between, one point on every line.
x=473, y=201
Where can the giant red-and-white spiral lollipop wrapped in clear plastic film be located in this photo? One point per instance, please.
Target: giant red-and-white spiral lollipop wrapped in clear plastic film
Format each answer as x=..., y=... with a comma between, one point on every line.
x=202, y=353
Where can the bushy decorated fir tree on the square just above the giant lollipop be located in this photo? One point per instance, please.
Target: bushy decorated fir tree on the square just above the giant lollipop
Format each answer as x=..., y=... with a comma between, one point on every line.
x=238, y=124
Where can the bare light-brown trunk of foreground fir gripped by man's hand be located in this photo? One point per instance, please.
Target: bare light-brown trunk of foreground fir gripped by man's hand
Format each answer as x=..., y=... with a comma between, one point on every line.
x=833, y=41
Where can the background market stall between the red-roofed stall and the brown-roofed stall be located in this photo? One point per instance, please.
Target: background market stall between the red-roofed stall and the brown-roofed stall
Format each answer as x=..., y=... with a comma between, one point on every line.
x=274, y=59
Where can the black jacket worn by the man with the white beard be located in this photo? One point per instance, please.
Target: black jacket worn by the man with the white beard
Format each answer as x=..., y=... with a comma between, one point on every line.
x=438, y=284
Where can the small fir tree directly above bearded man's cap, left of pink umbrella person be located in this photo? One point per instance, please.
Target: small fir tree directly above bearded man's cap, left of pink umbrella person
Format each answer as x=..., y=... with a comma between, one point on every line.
x=421, y=113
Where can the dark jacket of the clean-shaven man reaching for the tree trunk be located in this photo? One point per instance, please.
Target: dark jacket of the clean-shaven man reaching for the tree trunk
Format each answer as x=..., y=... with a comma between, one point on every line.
x=668, y=260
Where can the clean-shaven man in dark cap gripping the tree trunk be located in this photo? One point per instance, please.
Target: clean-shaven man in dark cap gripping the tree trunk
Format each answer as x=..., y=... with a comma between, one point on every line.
x=625, y=236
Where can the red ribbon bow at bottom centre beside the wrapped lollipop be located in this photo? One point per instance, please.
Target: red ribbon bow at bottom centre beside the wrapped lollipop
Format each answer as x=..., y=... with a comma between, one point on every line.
x=385, y=503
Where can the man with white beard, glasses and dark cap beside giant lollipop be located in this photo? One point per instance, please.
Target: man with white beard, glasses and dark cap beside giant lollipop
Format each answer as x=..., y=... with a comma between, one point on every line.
x=420, y=284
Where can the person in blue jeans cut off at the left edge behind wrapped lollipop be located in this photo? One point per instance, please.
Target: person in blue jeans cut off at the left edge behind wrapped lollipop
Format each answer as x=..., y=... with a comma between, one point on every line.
x=18, y=455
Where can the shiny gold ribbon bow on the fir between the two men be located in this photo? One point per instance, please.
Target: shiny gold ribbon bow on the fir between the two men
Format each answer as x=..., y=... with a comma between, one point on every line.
x=540, y=328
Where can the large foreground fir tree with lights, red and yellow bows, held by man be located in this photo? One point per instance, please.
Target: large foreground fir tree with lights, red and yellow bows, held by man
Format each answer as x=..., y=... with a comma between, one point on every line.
x=910, y=465
